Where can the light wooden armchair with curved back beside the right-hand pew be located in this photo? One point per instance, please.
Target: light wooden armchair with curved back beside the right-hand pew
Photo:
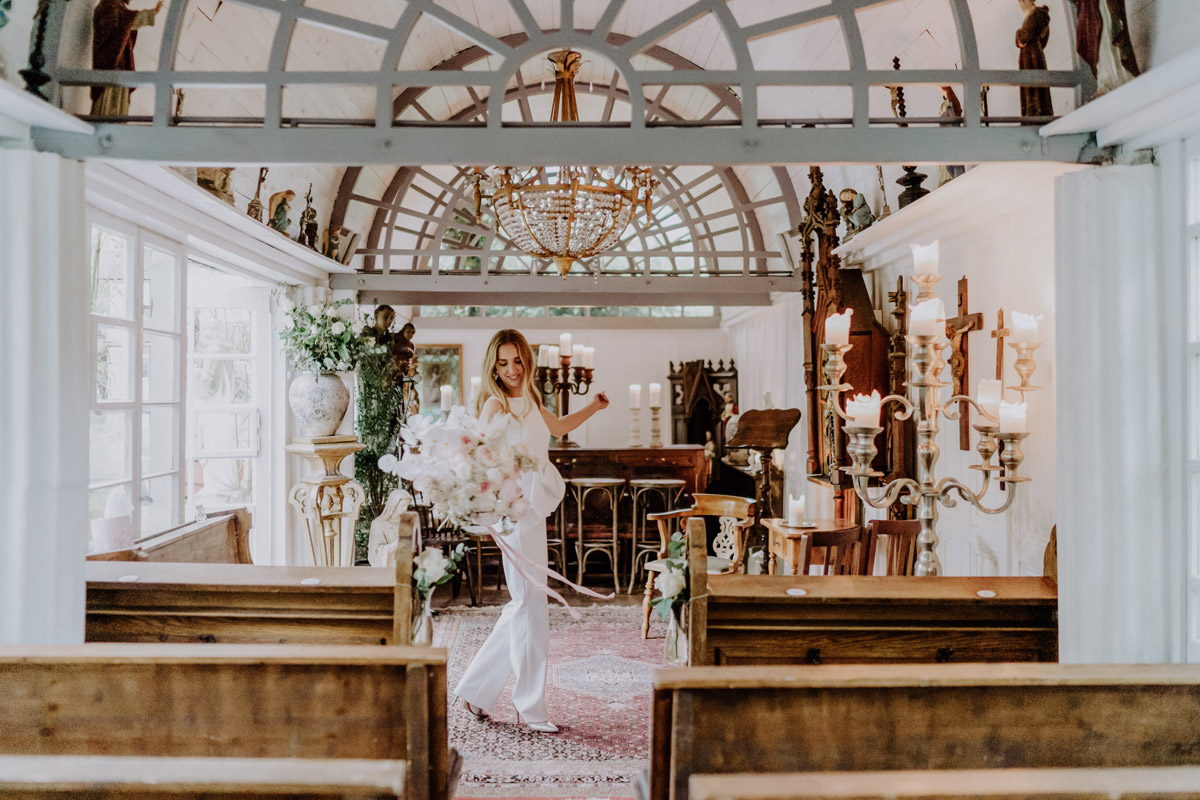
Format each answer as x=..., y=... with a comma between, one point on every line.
x=736, y=515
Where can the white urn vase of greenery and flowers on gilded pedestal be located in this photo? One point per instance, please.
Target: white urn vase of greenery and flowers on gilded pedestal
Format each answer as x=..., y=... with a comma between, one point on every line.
x=321, y=342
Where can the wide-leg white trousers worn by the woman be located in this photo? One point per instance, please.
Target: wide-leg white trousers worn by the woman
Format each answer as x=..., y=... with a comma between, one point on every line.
x=520, y=642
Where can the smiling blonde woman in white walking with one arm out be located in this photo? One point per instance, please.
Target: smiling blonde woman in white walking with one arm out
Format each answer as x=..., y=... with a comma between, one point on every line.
x=520, y=642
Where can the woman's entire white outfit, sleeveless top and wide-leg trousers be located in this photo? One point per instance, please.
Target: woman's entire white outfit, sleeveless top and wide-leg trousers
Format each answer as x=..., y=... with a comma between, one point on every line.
x=520, y=642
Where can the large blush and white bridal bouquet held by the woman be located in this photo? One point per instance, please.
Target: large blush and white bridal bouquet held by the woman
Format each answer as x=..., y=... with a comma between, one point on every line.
x=465, y=470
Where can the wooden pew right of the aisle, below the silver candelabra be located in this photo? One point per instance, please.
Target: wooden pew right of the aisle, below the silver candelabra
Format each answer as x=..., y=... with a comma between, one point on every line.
x=748, y=619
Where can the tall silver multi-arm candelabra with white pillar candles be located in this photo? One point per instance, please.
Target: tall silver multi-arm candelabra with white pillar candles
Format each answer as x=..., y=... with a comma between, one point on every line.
x=925, y=384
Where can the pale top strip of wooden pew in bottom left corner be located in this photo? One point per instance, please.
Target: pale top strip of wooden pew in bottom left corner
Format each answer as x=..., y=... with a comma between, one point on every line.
x=140, y=778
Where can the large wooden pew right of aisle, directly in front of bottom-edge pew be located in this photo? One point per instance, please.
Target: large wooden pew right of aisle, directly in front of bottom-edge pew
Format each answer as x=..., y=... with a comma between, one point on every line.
x=718, y=720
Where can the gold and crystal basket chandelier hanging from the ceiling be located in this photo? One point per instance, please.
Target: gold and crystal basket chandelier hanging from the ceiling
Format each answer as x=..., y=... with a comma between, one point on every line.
x=565, y=214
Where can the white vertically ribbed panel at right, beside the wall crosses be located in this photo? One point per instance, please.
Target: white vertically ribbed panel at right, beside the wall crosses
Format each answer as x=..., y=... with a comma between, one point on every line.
x=1120, y=338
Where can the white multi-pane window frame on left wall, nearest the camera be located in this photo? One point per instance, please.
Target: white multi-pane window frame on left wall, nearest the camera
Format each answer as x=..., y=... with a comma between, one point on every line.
x=140, y=239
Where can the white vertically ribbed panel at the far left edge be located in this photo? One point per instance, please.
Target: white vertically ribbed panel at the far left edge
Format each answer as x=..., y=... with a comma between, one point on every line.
x=45, y=380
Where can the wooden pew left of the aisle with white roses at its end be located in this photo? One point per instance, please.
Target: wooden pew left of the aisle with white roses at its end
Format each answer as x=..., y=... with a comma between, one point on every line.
x=242, y=604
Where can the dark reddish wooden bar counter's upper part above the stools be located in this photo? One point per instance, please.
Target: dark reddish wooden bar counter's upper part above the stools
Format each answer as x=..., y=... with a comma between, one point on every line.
x=683, y=462
